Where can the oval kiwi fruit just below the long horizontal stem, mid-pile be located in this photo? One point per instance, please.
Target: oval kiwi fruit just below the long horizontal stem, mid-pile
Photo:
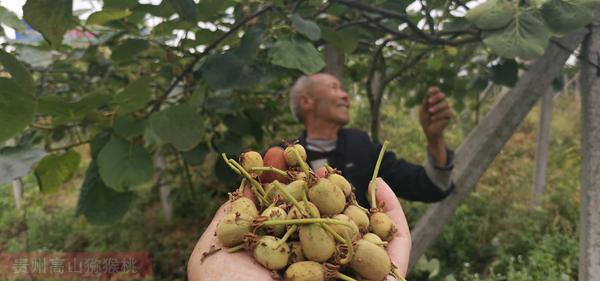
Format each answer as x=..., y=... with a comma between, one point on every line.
x=317, y=244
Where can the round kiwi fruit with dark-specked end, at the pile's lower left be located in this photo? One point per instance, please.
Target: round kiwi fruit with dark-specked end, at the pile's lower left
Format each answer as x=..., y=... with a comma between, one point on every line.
x=270, y=253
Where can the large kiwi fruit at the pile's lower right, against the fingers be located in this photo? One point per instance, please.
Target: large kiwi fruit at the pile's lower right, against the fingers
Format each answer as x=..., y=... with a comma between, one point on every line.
x=370, y=261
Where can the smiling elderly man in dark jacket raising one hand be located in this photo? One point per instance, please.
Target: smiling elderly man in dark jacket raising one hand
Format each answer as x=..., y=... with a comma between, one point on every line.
x=321, y=103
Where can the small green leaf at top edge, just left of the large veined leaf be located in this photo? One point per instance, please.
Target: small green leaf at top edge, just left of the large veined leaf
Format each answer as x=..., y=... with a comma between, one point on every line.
x=492, y=14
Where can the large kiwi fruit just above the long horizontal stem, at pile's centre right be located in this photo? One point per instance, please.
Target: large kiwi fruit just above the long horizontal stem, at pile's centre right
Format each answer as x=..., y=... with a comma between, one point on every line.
x=327, y=197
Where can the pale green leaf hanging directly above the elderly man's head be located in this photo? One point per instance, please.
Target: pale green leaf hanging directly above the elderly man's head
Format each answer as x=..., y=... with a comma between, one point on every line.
x=297, y=54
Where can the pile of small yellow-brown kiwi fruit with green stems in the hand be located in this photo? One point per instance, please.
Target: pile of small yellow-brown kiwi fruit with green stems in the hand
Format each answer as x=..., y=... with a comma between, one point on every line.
x=305, y=227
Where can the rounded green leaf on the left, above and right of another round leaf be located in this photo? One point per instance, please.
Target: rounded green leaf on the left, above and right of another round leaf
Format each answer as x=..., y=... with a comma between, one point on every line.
x=179, y=125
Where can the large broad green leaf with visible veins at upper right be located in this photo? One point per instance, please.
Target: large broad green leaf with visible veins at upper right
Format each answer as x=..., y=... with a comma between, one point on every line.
x=526, y=36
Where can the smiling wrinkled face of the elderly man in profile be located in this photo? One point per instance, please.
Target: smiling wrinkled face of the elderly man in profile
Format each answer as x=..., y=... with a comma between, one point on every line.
x=330, y=100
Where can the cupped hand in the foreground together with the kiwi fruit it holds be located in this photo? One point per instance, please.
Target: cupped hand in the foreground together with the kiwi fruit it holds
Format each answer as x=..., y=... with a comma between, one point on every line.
x=309, y=229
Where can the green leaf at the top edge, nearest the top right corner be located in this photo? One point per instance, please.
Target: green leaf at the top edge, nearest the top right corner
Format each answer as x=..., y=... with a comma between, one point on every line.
x=564, y=16
